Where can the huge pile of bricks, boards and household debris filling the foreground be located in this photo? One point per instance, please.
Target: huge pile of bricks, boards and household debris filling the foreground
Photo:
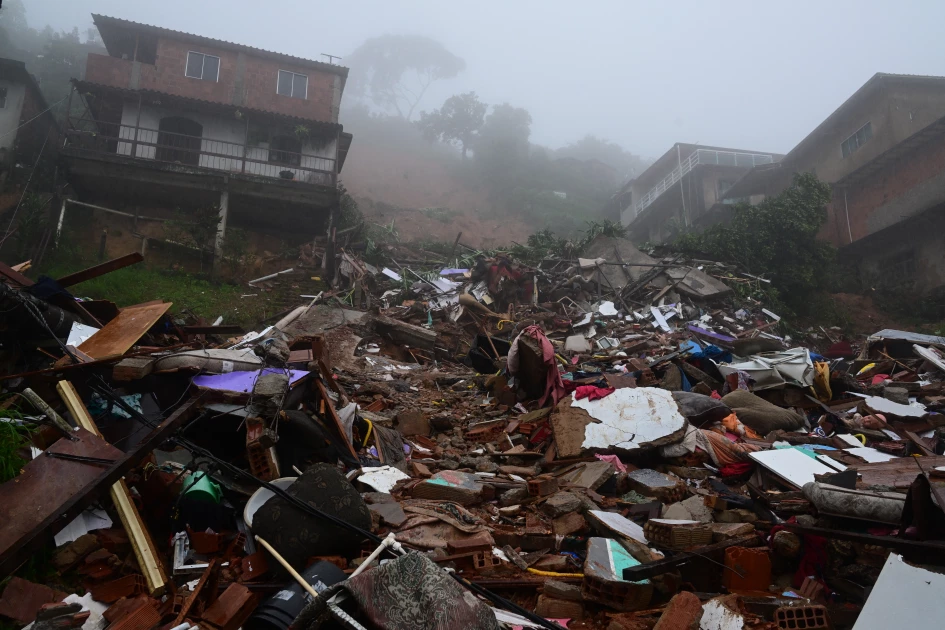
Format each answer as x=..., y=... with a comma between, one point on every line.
x=614, y=442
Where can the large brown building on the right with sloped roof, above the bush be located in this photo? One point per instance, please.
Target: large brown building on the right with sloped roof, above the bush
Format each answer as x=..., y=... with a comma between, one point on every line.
x=883, y=152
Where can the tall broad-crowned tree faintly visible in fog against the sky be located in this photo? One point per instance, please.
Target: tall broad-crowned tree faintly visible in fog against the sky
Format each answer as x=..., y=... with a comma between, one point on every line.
x=395, y=71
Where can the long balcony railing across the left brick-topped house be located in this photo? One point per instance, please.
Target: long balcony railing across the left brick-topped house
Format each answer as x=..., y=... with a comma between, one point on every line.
x=197, y=152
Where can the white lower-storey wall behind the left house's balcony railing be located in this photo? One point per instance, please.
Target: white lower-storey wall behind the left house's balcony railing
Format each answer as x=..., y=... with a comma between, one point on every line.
x=222, y=143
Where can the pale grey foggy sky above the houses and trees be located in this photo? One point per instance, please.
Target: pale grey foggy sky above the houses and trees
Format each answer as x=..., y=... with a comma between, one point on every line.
x=747, y=75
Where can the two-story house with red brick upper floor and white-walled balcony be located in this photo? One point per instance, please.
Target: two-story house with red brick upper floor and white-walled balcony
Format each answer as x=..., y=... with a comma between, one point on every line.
x=174, y=120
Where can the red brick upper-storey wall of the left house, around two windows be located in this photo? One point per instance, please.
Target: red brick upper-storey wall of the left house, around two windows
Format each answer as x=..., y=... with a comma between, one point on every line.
x=251, y=84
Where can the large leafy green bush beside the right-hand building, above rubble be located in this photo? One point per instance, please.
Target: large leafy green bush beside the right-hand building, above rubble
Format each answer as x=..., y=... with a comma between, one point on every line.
x=776, y=239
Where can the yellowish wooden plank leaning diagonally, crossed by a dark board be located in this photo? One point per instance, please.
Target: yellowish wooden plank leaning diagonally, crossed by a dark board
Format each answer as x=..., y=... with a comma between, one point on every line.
x=141, y=542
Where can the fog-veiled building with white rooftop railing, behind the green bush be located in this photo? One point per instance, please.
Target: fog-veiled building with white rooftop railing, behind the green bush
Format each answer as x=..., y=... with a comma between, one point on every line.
x=684, y=189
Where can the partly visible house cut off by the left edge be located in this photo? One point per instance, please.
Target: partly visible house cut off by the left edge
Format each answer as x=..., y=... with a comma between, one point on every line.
x=27, y=126
